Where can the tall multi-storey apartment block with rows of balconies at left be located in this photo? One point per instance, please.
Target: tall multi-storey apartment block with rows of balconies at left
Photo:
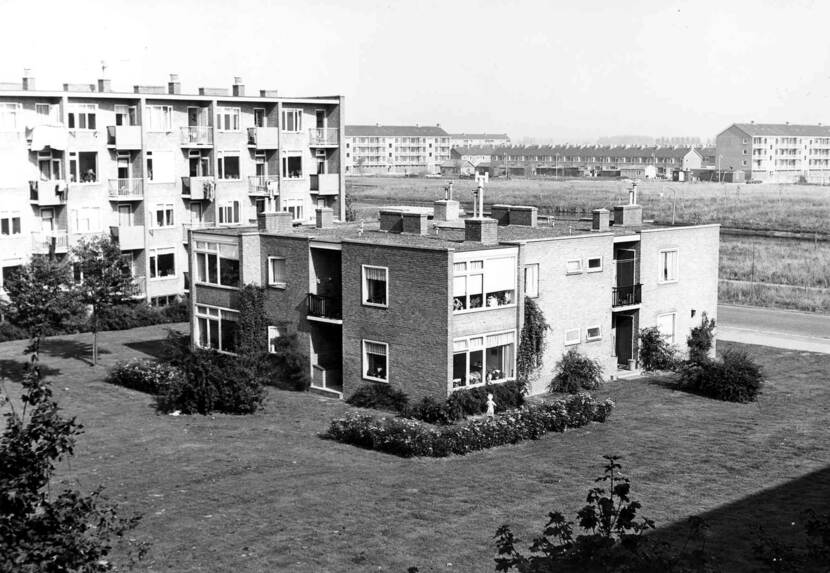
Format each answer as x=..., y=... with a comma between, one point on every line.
x=149, y=165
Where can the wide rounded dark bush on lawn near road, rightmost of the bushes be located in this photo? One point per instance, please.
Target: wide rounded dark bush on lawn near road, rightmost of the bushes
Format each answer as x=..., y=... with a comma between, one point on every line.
x=734, y=378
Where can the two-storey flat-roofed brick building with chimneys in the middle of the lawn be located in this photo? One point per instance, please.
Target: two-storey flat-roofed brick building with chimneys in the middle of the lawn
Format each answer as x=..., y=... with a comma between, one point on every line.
x=431, y=303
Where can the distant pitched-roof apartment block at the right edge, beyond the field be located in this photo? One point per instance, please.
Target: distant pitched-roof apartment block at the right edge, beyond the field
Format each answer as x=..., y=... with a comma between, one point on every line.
x=775, y=152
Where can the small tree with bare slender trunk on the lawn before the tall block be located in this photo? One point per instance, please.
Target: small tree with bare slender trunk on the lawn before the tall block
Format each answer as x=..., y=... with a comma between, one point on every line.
x=105, y=279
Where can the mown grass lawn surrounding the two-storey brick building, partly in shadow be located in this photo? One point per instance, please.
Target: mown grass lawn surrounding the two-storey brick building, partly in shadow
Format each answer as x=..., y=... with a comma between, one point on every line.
x=265, y=493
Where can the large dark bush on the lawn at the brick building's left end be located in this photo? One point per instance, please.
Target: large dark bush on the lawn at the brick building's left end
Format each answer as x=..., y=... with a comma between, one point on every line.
x=212, y=382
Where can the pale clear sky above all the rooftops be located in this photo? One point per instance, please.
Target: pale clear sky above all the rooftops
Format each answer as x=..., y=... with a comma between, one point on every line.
x=564, y=71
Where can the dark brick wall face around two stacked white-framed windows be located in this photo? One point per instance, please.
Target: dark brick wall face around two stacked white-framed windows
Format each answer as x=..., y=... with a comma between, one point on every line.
x=414, y=325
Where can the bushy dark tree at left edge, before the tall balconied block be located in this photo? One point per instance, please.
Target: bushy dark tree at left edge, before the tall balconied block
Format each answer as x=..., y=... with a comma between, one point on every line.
x=40, y=296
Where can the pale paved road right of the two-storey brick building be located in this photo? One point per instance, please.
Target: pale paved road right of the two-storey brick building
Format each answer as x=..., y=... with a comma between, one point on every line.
x=779, y=328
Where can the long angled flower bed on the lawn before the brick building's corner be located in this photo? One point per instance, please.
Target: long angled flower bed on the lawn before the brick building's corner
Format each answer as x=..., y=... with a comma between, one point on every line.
x=411, y=438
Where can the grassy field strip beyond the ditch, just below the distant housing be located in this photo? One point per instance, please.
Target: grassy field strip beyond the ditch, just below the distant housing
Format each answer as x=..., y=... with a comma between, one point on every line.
x=788, y=207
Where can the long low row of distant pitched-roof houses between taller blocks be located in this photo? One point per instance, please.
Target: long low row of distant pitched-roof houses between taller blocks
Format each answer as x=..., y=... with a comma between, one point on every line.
x=650, y=161
